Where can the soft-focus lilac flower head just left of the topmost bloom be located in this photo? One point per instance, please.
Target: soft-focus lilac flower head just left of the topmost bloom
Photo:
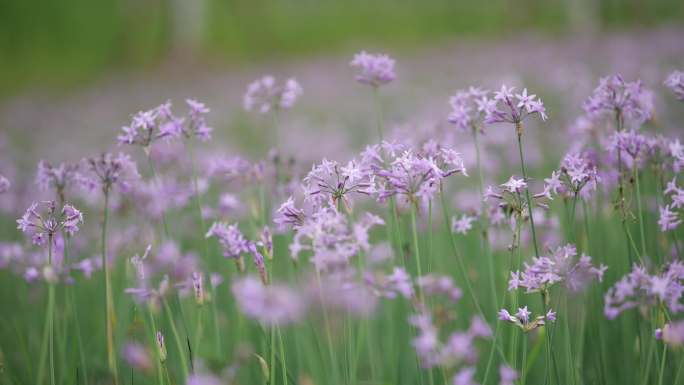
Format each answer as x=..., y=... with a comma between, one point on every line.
x=265, y=95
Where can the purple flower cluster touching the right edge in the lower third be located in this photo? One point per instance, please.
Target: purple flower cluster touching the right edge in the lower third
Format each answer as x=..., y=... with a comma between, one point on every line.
x=638, y=289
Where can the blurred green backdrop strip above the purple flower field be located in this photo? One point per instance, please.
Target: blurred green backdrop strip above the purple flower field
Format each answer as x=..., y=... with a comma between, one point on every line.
x=66, y=43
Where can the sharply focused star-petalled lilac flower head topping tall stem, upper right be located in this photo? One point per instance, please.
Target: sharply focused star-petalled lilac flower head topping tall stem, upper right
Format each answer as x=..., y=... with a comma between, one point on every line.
x=512, y=108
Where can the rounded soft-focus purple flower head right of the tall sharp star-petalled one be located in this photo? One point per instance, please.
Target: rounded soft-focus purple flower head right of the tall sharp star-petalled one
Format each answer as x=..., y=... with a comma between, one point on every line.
x=614, y=95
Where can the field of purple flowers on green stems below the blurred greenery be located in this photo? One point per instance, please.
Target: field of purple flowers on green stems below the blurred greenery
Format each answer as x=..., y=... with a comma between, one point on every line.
x=523, y=227
